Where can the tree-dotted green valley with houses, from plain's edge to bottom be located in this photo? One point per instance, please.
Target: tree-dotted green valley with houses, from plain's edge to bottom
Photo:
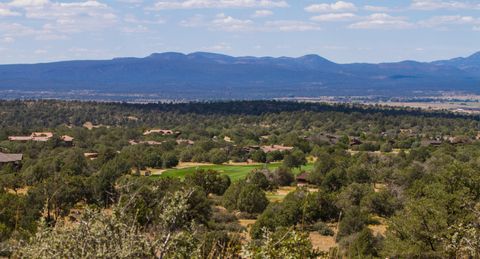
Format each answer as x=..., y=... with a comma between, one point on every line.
x=253, y=179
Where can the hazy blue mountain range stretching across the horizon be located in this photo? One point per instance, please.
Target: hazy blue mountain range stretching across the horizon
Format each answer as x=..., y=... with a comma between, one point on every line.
x=203, y=75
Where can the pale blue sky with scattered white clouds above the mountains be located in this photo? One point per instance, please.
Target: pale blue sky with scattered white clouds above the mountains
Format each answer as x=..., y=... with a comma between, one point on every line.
x=343, y=31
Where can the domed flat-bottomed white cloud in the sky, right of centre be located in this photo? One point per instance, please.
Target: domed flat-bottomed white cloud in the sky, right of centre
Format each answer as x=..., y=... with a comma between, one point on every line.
x=382, y=21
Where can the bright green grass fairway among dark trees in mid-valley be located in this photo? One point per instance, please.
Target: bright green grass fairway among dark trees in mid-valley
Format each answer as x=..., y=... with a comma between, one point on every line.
x=236, y=172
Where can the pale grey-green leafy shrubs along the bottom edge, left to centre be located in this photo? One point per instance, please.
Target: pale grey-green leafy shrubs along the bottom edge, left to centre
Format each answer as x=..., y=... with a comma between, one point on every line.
x=100, y=235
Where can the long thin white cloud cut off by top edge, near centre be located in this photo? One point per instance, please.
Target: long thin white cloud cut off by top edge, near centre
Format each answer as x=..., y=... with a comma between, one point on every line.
x=198, y=4
